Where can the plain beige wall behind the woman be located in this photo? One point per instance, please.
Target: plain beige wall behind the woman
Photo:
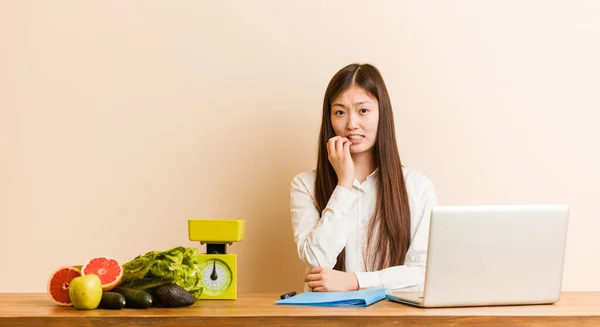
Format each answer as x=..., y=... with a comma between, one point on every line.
x=119, y=120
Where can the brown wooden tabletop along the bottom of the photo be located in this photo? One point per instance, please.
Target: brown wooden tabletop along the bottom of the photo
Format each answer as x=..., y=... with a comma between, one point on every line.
x=258, y=309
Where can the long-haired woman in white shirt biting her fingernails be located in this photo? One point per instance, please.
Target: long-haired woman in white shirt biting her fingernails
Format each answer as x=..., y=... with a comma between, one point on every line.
x=361, y=220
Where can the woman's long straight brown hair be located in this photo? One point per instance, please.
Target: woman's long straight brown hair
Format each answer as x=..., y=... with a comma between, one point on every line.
x=391, y=220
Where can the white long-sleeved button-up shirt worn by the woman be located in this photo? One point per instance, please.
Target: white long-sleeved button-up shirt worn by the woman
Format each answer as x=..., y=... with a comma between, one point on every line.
x=320, y=237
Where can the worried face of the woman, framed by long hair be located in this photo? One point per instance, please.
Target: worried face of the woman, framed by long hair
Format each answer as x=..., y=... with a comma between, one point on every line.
x=355, y=116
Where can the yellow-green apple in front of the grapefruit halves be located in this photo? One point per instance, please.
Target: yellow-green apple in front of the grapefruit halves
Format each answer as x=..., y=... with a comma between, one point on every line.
x=85, y=292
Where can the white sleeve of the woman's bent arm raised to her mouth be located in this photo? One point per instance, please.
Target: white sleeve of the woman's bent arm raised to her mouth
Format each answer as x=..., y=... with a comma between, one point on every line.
x=319, y=237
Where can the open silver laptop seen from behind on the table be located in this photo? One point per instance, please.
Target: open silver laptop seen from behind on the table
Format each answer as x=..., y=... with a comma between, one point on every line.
x=492, y=255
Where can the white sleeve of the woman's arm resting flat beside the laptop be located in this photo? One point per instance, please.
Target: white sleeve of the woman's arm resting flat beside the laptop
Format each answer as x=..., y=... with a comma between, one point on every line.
x=409, y=277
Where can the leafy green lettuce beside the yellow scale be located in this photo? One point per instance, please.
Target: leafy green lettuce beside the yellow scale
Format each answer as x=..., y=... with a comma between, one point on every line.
x=179, y=266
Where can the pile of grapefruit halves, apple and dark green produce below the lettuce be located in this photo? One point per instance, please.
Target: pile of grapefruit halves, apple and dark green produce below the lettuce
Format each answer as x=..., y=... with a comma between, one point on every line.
x=96, y=285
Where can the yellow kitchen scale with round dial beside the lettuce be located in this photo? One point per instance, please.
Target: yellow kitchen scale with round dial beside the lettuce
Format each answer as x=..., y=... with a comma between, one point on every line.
x=219, y=269
